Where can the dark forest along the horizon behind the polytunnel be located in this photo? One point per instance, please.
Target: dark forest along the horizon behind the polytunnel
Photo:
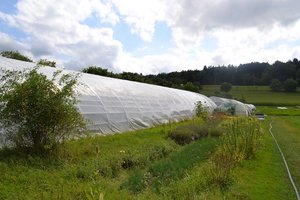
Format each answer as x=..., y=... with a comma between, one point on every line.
x=254, y=73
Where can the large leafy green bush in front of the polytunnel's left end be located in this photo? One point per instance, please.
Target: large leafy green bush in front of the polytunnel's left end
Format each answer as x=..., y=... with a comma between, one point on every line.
x=36, y=113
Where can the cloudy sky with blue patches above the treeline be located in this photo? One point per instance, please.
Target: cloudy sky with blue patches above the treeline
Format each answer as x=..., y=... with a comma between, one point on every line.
x=151, y=36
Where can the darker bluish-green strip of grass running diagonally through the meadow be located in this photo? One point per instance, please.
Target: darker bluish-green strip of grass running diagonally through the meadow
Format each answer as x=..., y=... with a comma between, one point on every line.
x=173, y=168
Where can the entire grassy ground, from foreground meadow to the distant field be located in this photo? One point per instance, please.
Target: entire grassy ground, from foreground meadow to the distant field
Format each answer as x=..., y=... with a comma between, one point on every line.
x=148, y=164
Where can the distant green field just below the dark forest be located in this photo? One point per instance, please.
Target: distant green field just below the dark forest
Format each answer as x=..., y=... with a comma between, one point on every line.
x=258, y=95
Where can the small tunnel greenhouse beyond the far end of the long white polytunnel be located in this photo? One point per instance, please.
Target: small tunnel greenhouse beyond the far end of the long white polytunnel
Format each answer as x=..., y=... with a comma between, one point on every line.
x=232, y=106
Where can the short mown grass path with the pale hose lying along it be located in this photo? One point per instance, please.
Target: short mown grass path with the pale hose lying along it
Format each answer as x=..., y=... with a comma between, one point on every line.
x=265, y=176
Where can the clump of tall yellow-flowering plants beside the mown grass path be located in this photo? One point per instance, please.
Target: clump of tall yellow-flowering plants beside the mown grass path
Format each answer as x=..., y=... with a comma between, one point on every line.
x=240, y=141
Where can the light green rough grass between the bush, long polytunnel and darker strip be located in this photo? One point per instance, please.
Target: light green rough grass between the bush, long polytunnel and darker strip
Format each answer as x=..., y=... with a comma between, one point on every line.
x=90, y=164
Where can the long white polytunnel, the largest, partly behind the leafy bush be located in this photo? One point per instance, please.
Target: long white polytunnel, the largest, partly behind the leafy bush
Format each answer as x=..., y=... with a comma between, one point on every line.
x=112, y=105
